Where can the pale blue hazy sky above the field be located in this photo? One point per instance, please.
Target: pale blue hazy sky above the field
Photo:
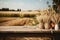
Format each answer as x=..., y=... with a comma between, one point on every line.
x=25, y=4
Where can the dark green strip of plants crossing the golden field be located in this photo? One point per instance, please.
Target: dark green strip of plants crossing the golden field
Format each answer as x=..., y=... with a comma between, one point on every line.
x=17, y=15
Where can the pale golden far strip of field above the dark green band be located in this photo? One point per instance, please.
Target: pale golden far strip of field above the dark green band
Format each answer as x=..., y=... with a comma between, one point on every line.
x=16, y=12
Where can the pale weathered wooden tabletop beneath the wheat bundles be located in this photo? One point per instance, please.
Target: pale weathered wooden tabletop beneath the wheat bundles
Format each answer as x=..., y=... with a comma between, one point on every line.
x=21, y=29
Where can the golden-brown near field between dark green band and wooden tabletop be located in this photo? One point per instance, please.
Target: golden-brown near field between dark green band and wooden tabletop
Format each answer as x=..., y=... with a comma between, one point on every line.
x=15, y=21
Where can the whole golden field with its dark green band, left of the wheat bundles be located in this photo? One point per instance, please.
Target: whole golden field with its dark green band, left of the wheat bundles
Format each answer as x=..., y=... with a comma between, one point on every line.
x=14, y=18
